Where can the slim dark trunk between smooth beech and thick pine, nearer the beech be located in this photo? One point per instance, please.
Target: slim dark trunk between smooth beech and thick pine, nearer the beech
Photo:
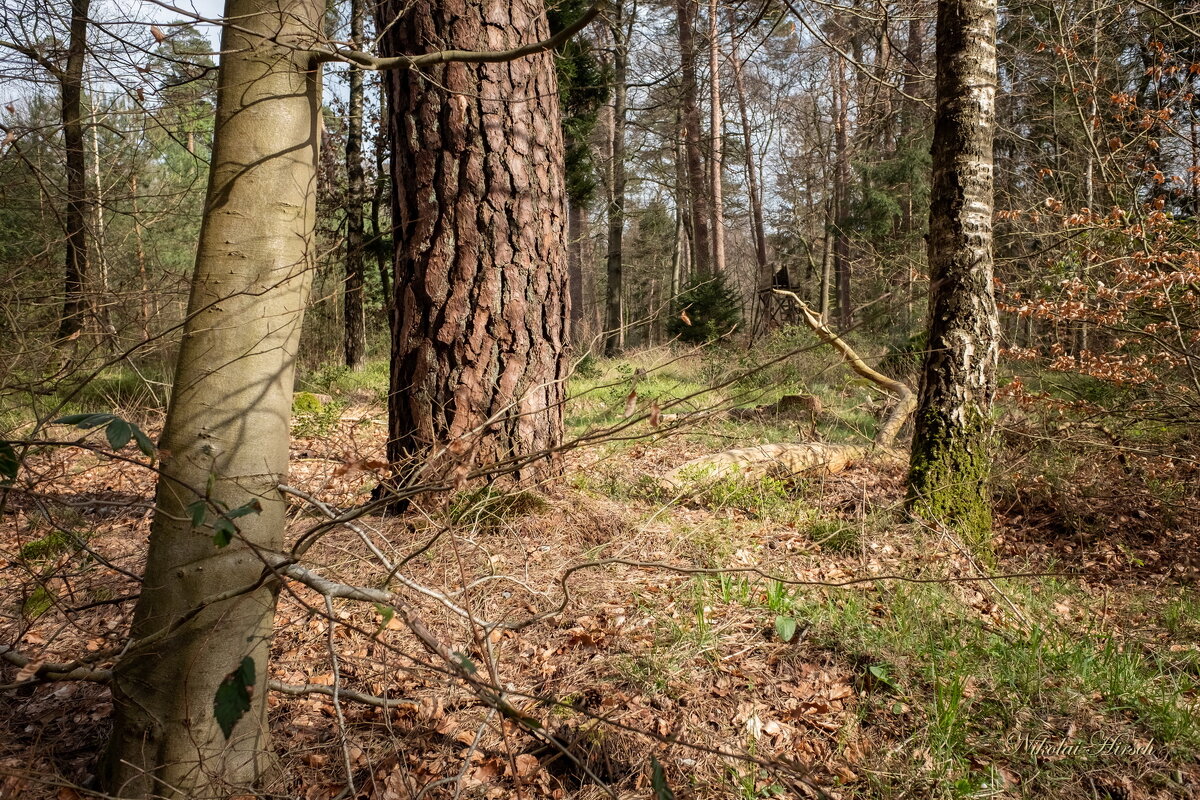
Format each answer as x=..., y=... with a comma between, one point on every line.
x=356, y=340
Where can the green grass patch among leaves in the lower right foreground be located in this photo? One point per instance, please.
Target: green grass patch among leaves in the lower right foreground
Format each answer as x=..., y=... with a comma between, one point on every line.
x=970, y=699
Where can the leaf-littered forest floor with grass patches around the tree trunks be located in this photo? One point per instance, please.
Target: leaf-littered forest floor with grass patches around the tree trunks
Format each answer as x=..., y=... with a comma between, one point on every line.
x=778, y=639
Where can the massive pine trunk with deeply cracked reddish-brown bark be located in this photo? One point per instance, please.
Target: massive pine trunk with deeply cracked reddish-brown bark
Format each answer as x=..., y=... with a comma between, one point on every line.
x=481, y=317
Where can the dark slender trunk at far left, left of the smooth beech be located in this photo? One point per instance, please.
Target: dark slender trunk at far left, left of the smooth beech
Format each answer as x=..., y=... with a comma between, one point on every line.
x=75, y=300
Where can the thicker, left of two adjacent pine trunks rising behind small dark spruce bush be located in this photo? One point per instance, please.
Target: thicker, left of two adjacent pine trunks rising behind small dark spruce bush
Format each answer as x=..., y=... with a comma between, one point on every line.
x=701, y=245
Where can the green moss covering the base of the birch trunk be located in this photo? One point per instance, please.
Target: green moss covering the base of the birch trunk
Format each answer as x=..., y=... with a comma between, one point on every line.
x=949, y=478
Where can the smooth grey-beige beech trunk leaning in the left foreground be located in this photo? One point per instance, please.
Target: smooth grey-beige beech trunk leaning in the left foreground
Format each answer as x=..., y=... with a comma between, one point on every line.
x=226, y=438
